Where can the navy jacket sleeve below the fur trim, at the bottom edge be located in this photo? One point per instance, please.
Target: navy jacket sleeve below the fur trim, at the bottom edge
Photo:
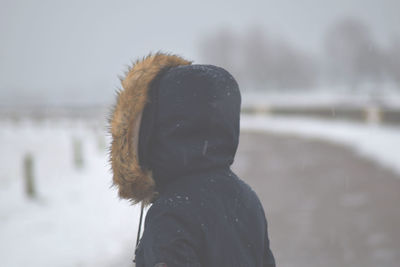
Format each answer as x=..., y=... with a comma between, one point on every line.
x=168, y=241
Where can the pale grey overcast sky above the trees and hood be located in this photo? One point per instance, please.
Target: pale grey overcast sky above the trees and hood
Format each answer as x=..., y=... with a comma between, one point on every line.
x=71, y=51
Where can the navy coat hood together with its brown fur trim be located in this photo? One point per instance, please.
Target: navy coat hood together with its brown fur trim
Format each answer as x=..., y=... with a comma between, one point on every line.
x=171, y=119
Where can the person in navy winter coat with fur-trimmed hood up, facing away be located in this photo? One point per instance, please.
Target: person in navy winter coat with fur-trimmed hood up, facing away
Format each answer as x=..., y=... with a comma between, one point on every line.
x=175, y=131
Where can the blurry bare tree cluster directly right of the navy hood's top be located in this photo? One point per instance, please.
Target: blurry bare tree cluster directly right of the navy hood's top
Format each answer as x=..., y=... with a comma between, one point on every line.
x=260, y=62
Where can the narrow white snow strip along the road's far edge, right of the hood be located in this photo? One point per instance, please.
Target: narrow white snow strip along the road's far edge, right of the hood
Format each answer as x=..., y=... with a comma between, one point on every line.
x=377, y=142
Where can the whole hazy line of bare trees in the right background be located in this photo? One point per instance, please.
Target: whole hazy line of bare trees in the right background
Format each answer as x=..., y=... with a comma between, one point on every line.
x=351, y=58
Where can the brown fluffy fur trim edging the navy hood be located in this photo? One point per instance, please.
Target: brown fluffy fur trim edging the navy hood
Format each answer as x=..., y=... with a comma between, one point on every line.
x=134, y=183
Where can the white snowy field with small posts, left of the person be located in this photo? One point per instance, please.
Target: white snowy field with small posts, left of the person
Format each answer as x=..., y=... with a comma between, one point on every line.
x=76, y=219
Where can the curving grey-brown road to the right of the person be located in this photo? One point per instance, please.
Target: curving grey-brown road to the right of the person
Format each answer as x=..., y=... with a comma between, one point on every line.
x=326, y=205
